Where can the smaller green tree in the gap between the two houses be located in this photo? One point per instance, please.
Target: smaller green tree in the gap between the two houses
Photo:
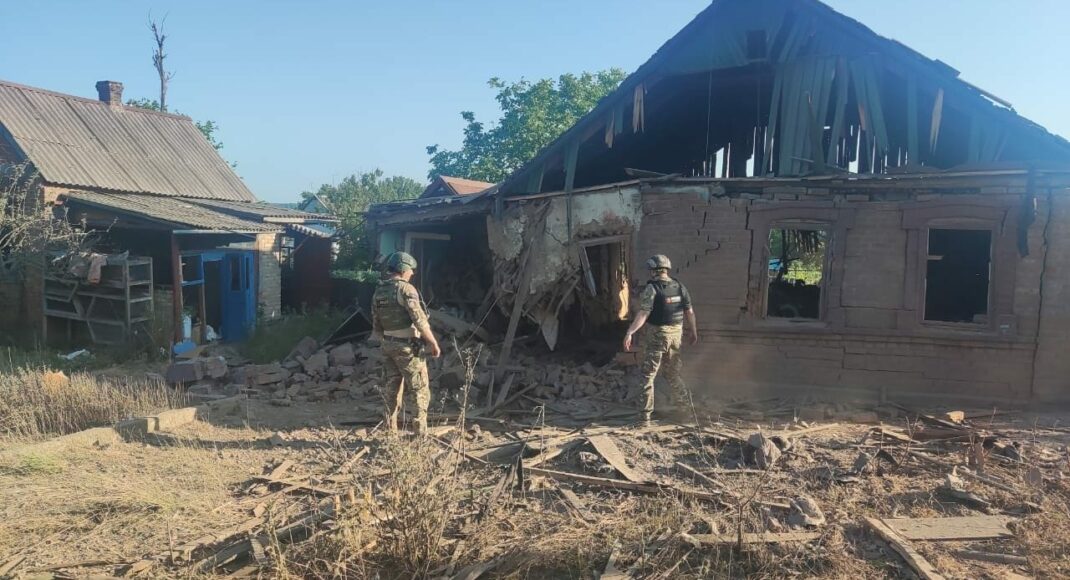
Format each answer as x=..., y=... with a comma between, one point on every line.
x=350, y=199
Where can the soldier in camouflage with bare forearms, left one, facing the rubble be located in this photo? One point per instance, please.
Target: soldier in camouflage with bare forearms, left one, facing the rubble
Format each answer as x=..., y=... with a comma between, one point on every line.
x=402, y=326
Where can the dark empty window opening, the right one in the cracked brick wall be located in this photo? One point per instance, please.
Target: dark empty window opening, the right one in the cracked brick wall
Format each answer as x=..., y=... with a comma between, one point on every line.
x=958, y=270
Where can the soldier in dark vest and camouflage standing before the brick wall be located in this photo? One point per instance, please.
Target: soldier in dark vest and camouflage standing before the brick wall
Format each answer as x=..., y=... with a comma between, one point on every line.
x=665, y=304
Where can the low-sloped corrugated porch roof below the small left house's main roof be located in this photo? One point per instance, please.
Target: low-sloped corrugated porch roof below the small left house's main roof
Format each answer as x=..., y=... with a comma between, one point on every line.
x=182, y=213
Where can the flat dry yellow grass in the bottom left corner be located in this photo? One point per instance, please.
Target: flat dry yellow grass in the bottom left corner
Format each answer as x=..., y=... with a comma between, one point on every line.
x=116, y=503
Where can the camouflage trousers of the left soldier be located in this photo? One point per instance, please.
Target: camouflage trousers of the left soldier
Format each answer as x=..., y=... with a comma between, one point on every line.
x=405, y=378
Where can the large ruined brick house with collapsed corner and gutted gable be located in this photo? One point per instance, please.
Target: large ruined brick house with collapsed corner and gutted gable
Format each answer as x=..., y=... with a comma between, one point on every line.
x=848, y=213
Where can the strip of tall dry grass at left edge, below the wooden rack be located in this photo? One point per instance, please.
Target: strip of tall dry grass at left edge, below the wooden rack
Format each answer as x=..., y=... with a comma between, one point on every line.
x=36, y=404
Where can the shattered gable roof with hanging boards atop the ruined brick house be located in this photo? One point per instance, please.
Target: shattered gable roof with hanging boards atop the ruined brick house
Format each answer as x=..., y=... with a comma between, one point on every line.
x=781, y=64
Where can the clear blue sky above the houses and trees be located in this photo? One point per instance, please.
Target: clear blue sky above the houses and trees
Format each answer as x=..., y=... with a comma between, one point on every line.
x=308, y=93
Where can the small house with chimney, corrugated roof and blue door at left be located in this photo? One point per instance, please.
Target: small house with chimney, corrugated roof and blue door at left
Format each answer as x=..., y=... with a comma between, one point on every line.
x=182, y=238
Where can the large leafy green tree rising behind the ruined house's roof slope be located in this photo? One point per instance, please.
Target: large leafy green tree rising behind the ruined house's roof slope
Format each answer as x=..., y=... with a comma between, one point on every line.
x=533, y=115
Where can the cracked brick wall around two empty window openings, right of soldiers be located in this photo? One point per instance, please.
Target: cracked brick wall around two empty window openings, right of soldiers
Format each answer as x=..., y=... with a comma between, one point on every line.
x=880, y=346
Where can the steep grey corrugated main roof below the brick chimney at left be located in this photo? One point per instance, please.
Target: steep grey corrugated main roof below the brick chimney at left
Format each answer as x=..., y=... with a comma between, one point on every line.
x=88, y=144
